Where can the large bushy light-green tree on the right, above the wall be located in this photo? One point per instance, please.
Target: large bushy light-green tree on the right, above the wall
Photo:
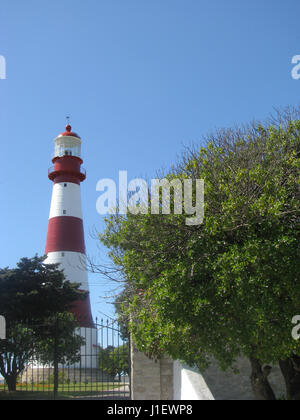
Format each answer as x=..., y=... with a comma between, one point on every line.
x=228, y=287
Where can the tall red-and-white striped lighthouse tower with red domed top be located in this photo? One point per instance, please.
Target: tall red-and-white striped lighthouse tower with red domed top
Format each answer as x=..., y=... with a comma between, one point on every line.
x=65, y=239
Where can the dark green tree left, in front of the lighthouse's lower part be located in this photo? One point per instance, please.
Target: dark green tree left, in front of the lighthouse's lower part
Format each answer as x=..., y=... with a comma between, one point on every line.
x=35, y=299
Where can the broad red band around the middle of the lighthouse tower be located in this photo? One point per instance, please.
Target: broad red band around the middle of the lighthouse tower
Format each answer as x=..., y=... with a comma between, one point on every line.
x=65, y=233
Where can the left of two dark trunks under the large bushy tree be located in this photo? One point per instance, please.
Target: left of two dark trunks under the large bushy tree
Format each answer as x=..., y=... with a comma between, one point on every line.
x=259, y=381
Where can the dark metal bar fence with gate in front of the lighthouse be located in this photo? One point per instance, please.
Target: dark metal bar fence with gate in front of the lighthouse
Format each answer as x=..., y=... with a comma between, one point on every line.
x=100, y=370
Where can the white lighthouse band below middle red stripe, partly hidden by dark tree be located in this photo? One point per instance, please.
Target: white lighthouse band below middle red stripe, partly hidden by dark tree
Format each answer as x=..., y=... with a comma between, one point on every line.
x=73, y=264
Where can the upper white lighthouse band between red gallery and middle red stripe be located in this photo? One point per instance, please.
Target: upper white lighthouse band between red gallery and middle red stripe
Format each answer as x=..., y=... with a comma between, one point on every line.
x=66, y=200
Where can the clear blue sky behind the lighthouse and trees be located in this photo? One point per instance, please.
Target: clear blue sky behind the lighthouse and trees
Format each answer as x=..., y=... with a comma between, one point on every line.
x=139, y=79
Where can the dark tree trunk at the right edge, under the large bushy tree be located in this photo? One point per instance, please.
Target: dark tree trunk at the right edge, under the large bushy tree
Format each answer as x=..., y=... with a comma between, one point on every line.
x=290, y=369
